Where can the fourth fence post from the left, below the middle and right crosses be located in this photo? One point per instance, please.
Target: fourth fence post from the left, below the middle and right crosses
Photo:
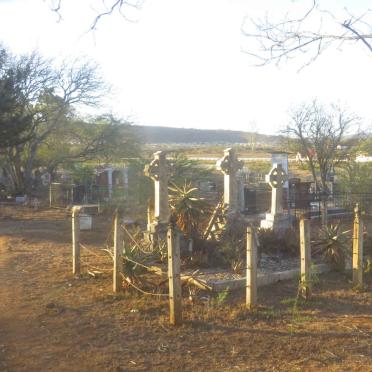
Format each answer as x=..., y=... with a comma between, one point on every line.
x=251, y=269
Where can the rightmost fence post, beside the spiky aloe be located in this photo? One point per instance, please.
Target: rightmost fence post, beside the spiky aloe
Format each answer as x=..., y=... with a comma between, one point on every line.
x=357, y=249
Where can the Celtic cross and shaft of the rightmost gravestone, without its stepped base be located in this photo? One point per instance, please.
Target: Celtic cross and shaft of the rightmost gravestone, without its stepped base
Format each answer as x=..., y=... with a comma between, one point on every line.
x=276, y=179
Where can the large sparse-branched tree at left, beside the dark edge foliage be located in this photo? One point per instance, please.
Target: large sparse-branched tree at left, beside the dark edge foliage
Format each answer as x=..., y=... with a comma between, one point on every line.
x=49, y=97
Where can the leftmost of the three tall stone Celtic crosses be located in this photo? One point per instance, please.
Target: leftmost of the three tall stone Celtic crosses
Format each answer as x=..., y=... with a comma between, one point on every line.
x=157, y=170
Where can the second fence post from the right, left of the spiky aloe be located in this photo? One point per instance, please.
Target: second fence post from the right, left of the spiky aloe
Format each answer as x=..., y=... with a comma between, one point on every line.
x=305, y=250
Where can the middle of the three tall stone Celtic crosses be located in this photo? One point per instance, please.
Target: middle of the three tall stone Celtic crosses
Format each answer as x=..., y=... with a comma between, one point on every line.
x=229, y=165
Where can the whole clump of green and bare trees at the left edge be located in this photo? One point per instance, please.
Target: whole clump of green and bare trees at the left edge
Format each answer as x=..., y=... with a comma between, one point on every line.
x=38, y=112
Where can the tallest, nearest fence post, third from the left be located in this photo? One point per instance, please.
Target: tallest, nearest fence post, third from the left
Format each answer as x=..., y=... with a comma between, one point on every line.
x=174, y=276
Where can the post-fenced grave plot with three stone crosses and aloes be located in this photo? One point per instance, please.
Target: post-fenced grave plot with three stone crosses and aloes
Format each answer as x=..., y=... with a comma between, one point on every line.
x=185, y=245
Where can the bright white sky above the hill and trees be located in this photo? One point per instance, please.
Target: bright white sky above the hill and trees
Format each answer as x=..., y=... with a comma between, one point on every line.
x=180, y=62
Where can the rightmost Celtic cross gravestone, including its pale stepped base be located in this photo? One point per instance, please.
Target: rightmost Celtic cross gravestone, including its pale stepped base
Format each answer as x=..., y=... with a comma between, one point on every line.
x=276, y=219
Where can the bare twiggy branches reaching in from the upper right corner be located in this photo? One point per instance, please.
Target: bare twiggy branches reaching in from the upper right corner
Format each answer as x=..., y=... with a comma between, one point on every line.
x=308, y=35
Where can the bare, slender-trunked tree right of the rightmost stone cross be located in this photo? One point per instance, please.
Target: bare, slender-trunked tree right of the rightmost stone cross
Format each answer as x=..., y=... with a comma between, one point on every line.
x=318, y=132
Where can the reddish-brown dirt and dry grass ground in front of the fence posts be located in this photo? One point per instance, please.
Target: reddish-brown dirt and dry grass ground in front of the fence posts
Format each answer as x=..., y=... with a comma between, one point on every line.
x=50, y=320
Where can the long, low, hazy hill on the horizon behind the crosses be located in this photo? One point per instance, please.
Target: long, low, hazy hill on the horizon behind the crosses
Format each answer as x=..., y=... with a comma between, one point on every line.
x=166, y=135
